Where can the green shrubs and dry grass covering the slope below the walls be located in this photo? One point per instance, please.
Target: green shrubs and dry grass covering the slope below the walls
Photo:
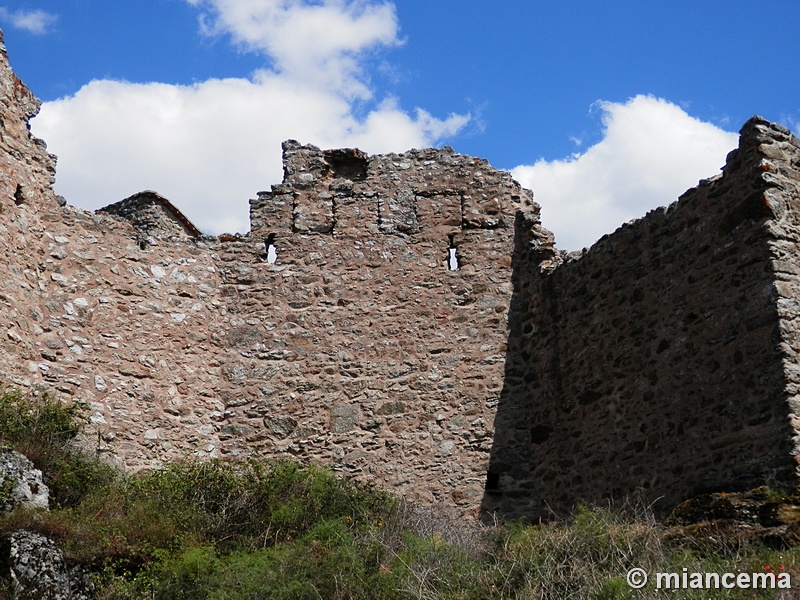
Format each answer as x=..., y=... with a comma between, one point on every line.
x=257, y=530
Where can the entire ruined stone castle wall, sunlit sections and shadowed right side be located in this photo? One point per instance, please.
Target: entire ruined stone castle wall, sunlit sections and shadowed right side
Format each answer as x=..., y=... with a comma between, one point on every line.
x=663, y=359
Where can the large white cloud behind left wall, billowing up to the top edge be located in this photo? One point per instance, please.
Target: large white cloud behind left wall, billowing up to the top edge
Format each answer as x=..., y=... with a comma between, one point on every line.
x=209, y=147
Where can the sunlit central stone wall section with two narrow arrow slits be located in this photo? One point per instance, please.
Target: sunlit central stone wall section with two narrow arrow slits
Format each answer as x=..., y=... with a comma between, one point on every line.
x=360, y=346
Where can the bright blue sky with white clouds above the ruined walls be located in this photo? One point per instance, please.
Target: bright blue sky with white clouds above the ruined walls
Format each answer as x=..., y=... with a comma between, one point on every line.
x=605, y=109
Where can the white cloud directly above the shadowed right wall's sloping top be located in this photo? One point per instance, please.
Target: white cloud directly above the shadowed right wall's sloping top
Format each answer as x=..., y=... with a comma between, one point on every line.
x=651, y=152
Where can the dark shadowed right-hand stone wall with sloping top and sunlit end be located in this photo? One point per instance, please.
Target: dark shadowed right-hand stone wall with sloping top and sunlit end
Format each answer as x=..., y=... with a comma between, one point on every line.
x=655, y=362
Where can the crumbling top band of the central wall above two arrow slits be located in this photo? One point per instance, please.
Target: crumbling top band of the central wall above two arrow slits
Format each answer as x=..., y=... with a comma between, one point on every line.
x=430, y=193
